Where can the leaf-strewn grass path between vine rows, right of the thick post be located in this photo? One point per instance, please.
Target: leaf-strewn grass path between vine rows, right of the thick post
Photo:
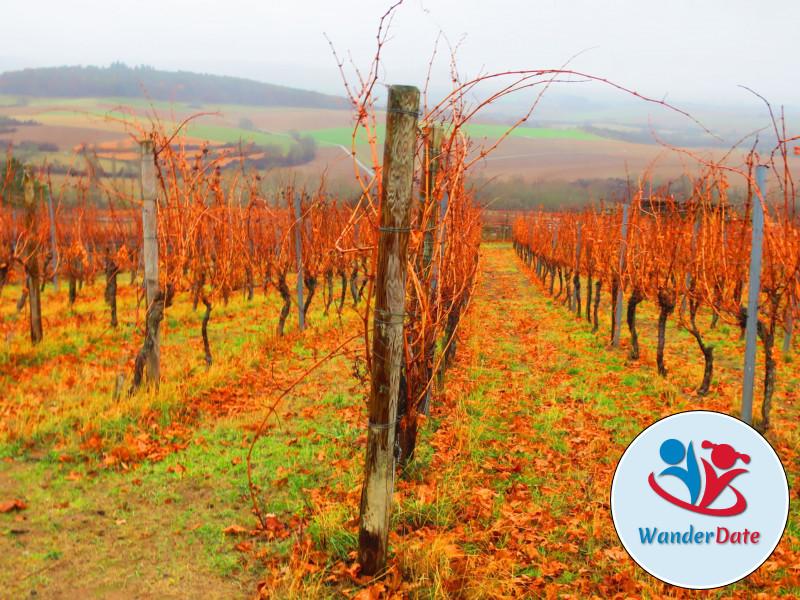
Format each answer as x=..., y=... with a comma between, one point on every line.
x=531, y=434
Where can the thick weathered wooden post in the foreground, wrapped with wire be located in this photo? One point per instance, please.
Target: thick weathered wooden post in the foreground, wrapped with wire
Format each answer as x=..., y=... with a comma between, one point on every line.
x=387, y=339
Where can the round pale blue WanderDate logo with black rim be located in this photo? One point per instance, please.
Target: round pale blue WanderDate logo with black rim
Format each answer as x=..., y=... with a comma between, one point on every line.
x=699, y=499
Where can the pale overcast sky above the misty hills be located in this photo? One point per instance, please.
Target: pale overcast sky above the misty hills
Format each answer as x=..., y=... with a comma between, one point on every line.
x=684, y=50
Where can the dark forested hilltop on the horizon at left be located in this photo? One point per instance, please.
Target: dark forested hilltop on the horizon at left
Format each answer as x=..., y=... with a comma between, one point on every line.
x=119, y=80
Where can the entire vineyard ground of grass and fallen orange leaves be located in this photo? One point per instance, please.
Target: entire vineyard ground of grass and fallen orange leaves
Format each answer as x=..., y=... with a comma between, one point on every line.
x=508, y=496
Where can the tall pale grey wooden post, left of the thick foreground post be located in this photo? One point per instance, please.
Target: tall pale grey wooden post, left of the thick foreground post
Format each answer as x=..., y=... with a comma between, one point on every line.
x=150, y=253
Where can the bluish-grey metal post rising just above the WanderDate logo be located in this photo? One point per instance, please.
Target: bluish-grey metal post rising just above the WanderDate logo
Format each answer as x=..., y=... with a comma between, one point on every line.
x=751, y=340
